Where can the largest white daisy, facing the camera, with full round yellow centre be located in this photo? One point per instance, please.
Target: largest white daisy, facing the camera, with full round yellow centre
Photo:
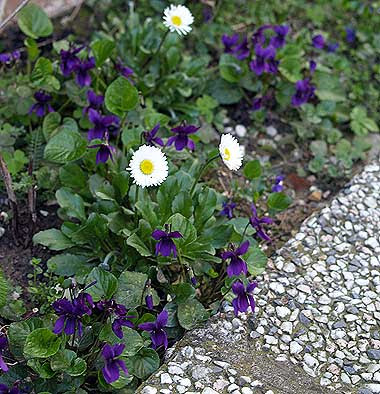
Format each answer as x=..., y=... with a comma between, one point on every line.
x=148, y=166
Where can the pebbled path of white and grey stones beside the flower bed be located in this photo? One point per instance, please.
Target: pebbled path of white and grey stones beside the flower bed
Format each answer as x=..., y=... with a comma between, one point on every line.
x=316, y=327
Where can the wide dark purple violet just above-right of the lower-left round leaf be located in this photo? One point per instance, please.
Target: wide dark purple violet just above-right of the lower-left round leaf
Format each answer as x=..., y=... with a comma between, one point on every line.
x=71, y=312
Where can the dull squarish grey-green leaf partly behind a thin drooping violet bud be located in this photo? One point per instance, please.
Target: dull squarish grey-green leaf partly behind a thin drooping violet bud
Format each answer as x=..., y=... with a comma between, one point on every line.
x=131, y=289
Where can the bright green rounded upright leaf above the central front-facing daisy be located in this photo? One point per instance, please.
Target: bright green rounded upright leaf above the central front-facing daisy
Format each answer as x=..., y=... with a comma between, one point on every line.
x=121, y=96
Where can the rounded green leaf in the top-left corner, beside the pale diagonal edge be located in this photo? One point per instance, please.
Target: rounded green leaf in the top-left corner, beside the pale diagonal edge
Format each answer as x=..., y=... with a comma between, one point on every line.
x=34, y=22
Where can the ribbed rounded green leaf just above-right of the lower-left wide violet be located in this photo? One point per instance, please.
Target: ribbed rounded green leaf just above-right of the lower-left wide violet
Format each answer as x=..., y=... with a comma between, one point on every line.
x=105, y=286
